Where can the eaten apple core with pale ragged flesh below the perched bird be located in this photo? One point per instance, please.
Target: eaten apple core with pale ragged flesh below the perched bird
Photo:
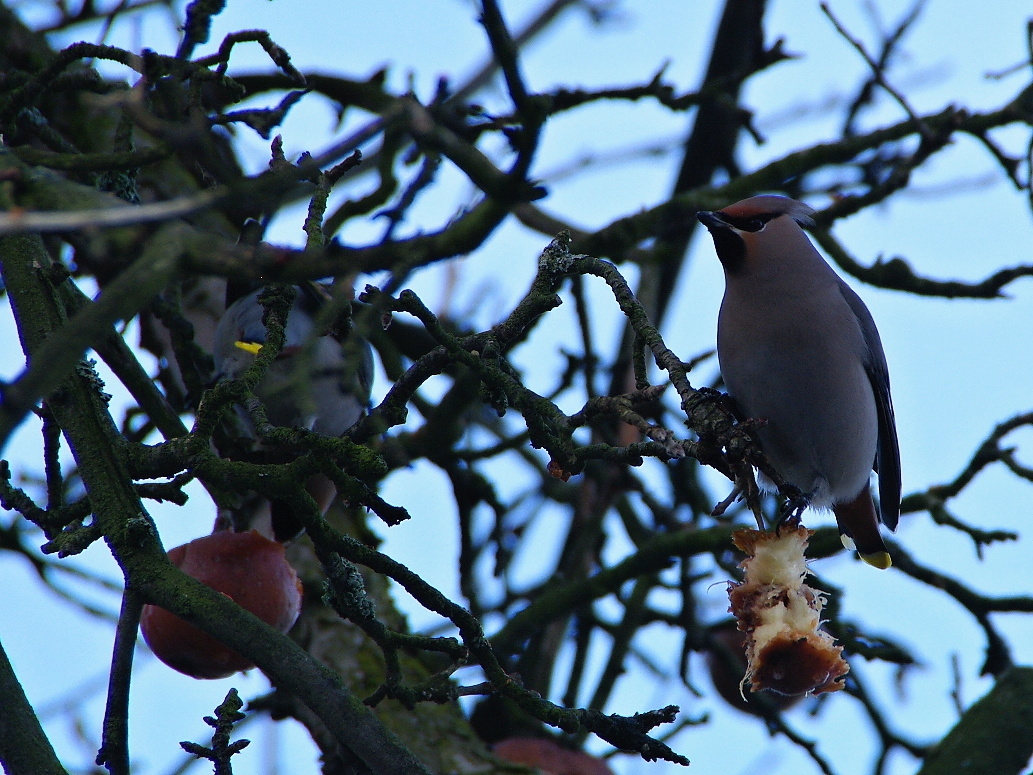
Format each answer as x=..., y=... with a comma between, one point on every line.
x=787, y=652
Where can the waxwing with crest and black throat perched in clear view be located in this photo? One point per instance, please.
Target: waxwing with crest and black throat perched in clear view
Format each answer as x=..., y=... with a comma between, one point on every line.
x=800, y=351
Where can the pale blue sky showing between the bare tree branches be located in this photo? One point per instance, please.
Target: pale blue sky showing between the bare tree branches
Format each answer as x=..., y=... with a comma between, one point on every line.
x=958, y=367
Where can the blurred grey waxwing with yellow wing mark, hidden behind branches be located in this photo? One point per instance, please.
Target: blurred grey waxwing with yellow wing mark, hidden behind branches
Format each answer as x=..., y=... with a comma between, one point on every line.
x=320, y=381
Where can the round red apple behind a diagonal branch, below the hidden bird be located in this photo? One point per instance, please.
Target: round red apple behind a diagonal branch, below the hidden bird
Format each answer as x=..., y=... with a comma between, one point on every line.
x=248, y=569
